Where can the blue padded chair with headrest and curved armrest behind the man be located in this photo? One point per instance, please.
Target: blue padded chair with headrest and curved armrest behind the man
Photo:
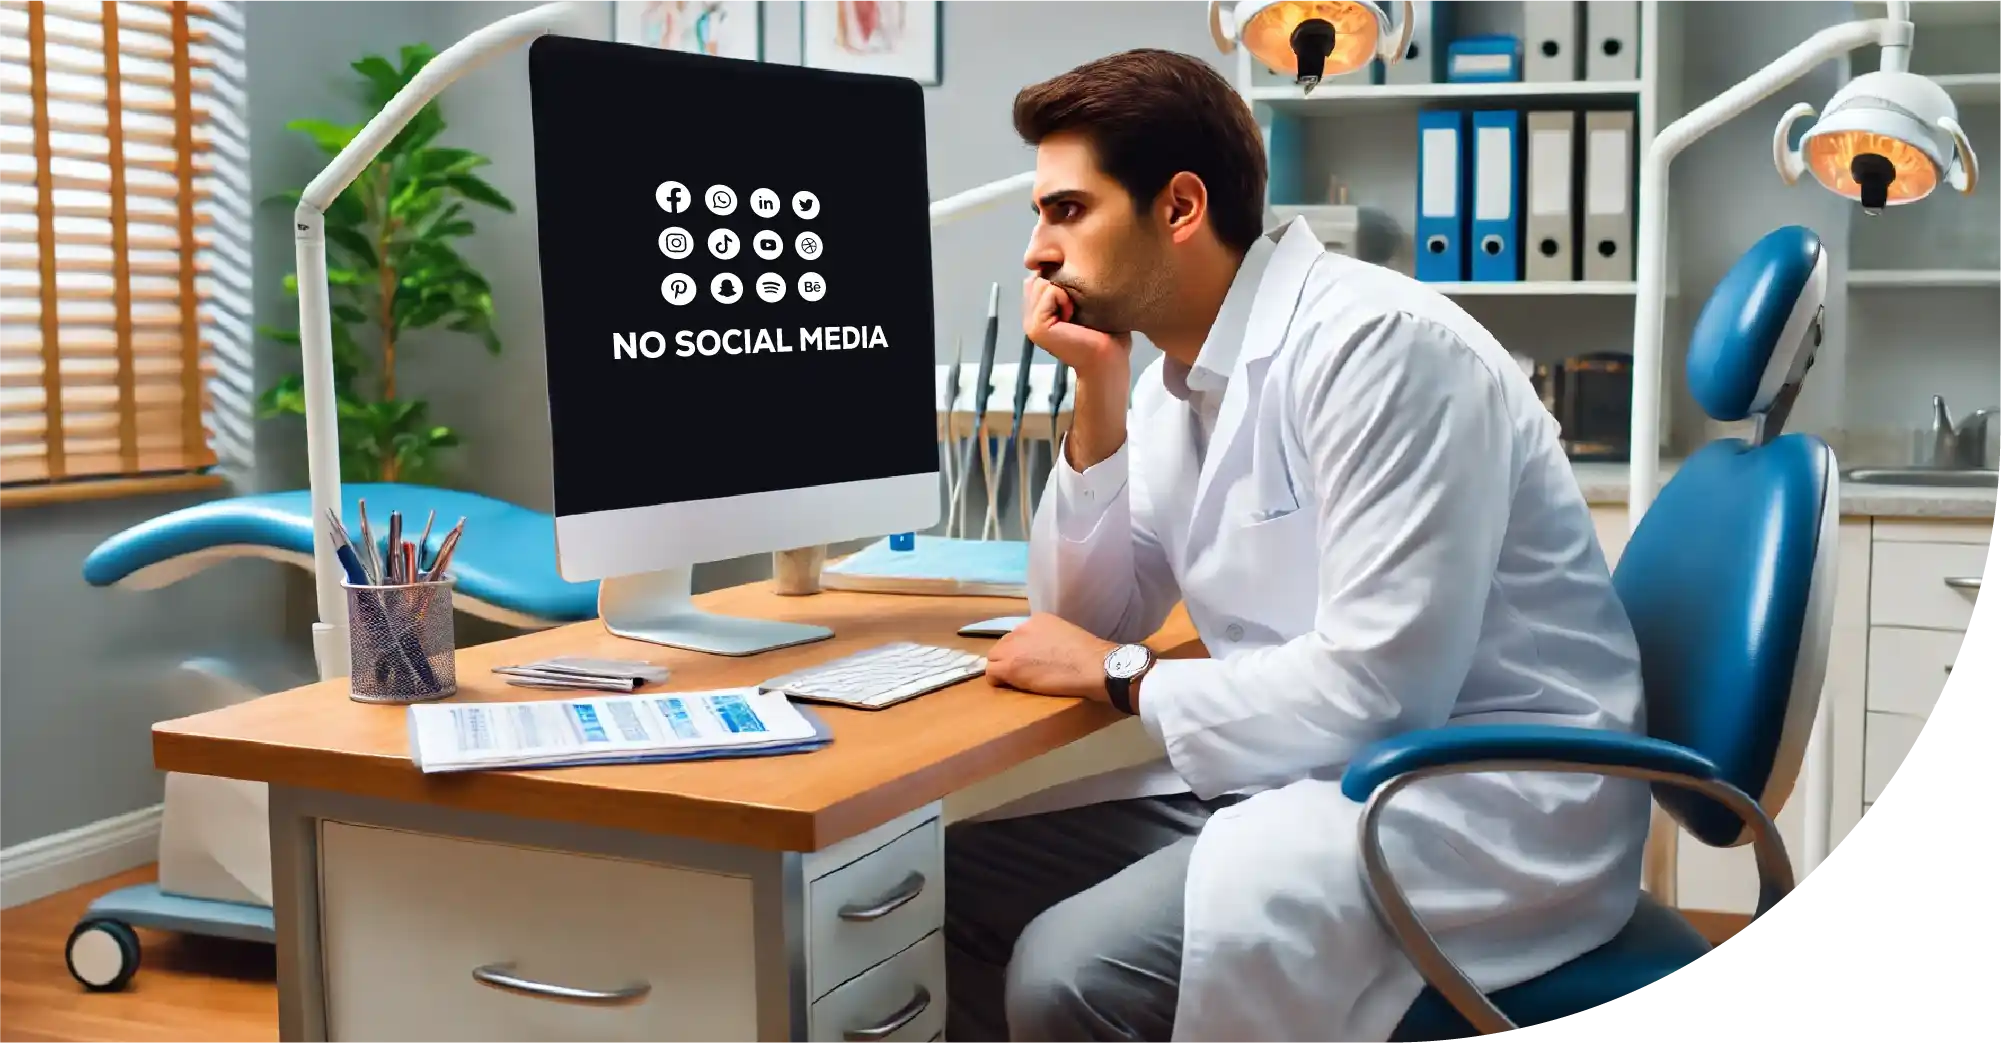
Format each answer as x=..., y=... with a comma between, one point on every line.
x=1731, y=584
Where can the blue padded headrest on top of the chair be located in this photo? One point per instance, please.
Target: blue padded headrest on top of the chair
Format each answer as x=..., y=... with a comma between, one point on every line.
x=1759, y=332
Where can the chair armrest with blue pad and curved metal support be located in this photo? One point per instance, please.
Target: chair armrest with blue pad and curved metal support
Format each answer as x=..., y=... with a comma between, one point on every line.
x=1388, y=766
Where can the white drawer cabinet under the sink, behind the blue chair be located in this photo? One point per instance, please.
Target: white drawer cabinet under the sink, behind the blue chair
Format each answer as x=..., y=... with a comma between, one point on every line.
x=1905, y=604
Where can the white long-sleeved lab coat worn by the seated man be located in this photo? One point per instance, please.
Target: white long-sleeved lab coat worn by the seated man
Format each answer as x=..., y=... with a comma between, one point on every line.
x=1380, y=536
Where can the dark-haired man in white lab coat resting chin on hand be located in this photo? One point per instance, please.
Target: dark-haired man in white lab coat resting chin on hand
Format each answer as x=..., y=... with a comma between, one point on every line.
x=1370, y=520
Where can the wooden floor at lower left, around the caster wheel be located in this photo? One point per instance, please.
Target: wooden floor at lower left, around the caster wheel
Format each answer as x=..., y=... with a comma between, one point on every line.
x=189, y=991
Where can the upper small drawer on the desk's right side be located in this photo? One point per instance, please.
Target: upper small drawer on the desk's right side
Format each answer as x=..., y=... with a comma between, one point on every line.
x=874, y=909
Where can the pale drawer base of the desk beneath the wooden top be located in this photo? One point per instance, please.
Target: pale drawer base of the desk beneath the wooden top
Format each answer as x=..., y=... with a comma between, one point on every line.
x=463, y=929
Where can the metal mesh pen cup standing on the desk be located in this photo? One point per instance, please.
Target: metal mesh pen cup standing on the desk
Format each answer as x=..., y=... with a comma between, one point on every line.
x=401, y=642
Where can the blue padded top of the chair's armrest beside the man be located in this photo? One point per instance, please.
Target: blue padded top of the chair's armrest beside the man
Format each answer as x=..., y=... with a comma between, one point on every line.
x=1575, y=748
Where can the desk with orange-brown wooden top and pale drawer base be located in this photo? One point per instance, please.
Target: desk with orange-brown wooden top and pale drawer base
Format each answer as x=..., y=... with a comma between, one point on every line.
x=756, y=901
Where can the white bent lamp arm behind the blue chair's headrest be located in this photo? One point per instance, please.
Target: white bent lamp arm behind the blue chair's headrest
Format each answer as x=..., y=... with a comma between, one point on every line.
x=1645, y=436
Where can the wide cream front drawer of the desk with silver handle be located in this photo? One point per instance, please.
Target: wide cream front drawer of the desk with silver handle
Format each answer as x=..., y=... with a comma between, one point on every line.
x=409, y=917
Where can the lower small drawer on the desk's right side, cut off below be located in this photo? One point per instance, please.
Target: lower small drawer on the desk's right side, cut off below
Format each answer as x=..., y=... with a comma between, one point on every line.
x=896, y=1003
